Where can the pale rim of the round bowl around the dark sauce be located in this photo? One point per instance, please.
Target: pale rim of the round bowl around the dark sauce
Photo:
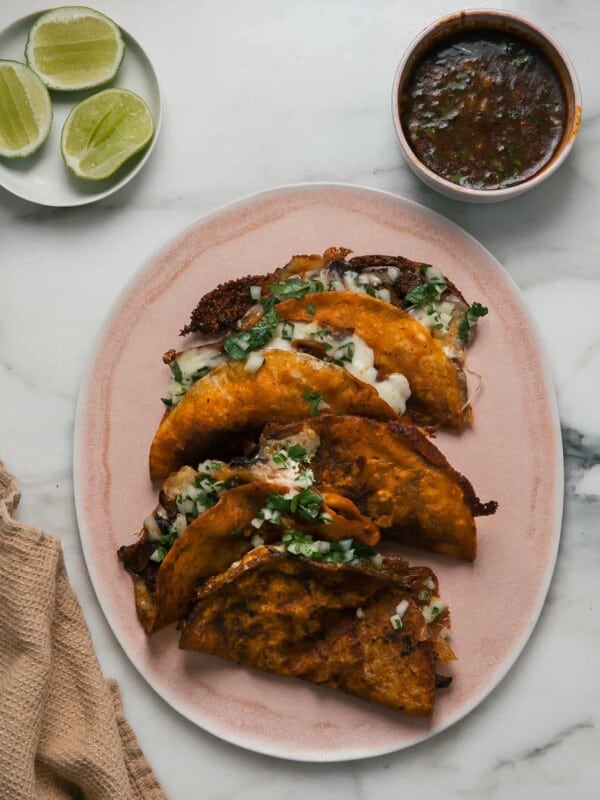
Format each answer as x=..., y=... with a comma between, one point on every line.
x=570, y=78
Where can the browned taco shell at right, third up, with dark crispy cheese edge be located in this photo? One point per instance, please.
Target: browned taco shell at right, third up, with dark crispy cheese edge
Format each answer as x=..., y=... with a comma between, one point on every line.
x=398, y=478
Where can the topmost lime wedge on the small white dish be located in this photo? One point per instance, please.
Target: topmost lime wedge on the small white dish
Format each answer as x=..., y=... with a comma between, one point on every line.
x=74, y=48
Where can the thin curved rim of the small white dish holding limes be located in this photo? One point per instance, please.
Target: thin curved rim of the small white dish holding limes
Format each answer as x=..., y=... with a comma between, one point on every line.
x=28, y=19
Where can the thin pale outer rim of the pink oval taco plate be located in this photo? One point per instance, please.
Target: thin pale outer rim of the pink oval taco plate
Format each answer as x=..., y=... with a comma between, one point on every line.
x=317, y=756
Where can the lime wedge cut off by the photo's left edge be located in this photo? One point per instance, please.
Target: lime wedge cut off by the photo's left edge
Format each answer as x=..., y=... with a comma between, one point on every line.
x=25, y=111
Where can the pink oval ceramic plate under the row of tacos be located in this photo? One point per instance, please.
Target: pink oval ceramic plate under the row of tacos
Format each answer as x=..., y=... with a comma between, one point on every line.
x=512, y=453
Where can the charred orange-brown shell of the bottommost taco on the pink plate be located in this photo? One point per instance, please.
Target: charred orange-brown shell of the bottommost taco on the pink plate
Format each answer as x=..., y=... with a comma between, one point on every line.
x=324, y=623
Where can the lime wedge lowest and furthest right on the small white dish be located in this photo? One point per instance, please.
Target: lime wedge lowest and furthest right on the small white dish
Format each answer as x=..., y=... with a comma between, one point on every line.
x=103, y=131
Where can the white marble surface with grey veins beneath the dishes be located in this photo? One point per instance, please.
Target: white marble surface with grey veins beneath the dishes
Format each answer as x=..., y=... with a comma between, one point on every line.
x=265, y=93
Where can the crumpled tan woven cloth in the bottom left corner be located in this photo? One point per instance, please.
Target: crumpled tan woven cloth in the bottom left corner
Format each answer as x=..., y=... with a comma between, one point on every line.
x=62, y=729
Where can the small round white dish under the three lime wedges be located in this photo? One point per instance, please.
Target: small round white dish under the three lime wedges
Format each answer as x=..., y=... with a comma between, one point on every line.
x=44, y=178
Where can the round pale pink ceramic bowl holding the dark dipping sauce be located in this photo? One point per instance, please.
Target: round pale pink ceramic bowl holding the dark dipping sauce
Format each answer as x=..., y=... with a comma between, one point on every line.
x=505, y=22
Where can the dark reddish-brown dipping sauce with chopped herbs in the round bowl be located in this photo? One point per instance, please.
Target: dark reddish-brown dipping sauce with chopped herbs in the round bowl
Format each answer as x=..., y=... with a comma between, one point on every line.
x=484, y=109
